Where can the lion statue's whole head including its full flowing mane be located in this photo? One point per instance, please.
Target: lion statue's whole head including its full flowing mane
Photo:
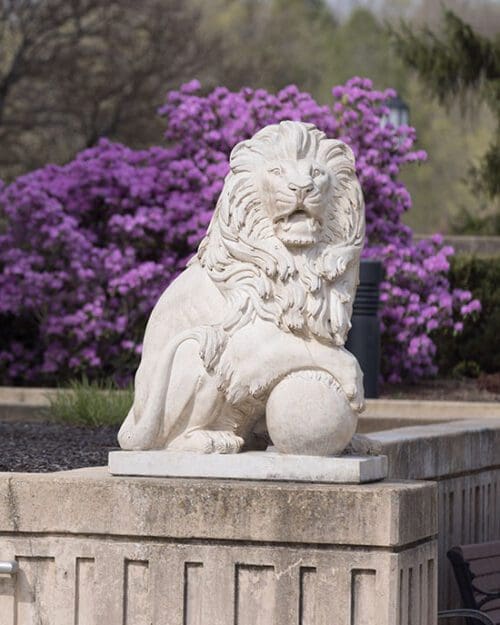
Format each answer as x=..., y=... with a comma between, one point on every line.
x=290, y=208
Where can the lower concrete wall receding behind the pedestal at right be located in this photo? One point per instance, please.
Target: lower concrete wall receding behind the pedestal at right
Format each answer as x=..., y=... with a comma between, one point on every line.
x=464, y=458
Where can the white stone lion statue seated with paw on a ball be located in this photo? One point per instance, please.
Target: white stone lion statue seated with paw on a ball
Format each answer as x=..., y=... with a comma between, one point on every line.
x=267, y=297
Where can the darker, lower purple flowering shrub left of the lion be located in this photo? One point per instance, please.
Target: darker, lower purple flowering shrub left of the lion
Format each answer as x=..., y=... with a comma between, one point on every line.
x=87, y=250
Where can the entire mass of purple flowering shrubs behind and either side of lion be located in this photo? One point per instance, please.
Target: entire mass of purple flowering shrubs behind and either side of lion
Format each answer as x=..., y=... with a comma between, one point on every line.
x=89, y=246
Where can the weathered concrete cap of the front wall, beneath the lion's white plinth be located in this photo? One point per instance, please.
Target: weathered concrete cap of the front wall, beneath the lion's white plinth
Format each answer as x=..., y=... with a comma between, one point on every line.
x=92, y=501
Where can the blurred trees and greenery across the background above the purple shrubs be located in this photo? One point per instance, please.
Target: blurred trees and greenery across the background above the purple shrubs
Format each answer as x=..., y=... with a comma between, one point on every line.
x=71, y=72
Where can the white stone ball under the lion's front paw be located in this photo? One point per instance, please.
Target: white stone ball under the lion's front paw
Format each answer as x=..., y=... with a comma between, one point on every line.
x=308, y=413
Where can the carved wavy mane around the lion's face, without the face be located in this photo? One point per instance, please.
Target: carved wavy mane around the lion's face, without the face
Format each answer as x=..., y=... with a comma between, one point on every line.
x=309, y=290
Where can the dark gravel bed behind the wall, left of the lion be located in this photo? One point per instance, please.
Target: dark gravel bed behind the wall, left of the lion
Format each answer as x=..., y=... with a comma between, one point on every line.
x=44, y=447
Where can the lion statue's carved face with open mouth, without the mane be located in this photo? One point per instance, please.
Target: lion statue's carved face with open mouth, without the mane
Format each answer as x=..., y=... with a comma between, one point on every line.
x=295, y=194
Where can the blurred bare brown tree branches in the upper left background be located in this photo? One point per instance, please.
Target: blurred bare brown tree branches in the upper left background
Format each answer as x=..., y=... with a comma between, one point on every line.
x=126, y=55
